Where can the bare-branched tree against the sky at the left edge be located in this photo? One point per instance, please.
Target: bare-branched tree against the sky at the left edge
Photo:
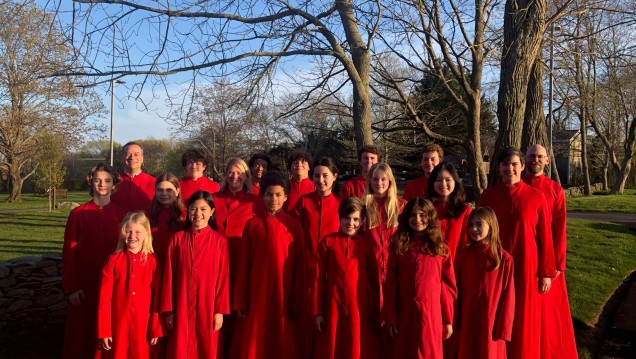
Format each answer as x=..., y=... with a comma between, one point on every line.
x=31, y=102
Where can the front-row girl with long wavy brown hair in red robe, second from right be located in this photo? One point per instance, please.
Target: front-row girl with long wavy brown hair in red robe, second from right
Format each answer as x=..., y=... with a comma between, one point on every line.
x=420, y=291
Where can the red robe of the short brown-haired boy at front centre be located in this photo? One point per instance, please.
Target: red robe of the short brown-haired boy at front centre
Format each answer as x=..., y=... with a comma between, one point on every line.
x=348, y=299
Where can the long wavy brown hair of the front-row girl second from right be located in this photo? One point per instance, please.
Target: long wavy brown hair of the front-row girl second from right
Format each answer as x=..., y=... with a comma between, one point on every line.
x=433, y=242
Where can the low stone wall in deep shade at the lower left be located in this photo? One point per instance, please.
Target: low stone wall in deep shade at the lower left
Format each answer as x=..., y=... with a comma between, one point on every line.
x=31, y=295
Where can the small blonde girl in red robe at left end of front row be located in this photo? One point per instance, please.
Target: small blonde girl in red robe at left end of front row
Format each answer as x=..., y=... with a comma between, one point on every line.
x=128, y=319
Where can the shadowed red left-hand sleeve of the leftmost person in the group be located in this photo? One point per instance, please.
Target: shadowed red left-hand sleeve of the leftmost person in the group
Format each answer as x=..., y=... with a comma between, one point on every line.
x=69, y=253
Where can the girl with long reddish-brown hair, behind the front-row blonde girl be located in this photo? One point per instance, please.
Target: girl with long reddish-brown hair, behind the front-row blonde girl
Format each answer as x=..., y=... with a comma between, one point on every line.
x=167, y=213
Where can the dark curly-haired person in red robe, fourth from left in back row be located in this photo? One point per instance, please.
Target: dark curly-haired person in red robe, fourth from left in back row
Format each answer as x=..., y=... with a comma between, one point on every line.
x=300, y=183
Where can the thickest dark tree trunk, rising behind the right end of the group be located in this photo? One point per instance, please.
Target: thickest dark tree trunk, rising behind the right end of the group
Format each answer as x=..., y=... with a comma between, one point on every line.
x=524, y=25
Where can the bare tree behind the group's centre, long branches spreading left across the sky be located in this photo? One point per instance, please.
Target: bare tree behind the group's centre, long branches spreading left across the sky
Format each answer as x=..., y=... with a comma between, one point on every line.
x=229, y=38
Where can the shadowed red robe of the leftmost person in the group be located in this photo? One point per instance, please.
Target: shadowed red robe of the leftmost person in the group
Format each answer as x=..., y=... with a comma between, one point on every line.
x=91, y=235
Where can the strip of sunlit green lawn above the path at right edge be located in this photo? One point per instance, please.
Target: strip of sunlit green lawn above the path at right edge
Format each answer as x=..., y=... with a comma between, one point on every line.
x=604, y=203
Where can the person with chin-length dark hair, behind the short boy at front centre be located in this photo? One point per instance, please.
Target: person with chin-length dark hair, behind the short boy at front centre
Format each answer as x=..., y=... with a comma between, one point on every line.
x=318, y=214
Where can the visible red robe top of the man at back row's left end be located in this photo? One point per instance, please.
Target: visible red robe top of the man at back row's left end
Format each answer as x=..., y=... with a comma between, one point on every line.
x=134, y=193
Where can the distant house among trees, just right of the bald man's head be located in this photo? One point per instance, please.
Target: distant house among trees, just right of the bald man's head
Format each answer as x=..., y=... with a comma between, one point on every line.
x=567, y=153
